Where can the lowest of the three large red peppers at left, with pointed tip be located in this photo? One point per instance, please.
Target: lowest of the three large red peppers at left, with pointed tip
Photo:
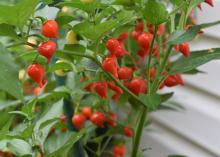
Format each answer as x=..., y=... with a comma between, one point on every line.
x=36, y=72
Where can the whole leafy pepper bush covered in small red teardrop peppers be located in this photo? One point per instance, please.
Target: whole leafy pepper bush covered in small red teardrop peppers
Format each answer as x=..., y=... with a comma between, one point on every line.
x=84, y=83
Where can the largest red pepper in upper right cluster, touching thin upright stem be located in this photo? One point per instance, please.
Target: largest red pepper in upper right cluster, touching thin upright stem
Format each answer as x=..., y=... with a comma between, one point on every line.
x=145, y=39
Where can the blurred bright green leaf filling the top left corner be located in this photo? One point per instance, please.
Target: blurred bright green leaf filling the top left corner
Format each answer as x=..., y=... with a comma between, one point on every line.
x=18, y=14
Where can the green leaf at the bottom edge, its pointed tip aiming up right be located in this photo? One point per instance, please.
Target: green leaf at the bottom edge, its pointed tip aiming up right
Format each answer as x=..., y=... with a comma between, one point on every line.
x=59, y=143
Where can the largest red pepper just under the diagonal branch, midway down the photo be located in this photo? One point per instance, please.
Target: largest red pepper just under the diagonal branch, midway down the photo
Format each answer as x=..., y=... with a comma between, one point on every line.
x=101, y=89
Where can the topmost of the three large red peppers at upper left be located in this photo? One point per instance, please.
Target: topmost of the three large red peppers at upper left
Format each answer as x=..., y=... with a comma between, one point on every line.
x=50, y=29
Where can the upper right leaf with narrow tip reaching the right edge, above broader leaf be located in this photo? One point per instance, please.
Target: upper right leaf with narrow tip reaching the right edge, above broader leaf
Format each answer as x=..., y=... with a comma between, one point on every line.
x=180, y=36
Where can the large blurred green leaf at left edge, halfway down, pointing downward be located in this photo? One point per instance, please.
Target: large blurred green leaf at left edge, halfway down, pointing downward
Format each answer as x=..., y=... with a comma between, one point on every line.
x=9, y=74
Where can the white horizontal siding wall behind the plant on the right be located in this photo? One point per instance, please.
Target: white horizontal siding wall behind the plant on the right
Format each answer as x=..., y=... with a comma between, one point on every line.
x=195, y=131
